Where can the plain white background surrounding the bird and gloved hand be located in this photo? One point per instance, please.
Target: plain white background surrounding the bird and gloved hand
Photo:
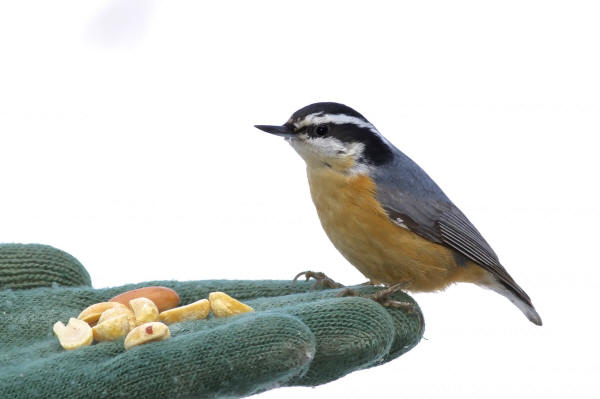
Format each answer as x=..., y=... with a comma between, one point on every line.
x=127, y=139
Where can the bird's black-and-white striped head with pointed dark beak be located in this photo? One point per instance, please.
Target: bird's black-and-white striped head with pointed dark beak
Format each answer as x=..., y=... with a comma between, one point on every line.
x=332, y=135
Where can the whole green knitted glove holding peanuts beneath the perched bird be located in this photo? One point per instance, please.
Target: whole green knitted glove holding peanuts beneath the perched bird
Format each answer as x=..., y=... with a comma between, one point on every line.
x=295, y=336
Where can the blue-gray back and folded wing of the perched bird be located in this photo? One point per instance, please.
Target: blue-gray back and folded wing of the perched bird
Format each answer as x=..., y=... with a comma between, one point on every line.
x=411, y=198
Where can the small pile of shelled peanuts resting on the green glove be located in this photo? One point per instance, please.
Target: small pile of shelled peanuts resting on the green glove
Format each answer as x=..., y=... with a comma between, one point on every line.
x=141, y=316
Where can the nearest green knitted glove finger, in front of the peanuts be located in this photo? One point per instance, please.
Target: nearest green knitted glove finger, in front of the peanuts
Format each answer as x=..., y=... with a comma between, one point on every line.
x=236, y=357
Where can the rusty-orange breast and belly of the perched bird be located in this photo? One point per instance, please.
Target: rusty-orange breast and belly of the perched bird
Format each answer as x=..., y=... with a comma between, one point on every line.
x=381, y=250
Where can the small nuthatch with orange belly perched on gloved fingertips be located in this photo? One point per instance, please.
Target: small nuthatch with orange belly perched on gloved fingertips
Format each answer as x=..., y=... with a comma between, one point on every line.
x=384, y=213
